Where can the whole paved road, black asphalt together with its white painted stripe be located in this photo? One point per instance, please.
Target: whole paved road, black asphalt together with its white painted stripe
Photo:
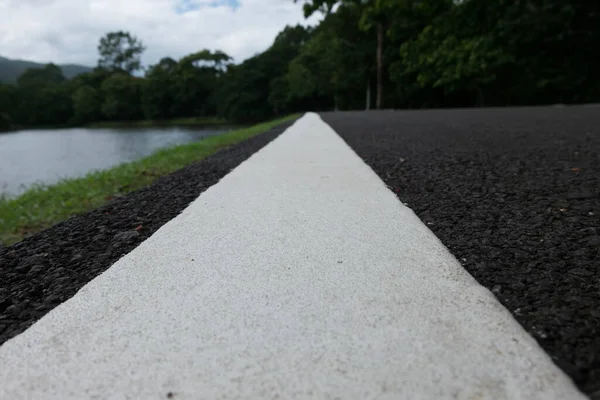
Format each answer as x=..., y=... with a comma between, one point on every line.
x=302, y=272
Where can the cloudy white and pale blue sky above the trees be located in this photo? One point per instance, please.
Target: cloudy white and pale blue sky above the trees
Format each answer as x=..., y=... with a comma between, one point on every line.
x=68, y=31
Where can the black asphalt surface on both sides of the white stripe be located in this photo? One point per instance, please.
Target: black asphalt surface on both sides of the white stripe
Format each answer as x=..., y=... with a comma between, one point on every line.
x=513, y=193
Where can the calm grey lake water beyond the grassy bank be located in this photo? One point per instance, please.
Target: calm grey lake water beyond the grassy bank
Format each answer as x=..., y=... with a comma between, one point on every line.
x=46, y=156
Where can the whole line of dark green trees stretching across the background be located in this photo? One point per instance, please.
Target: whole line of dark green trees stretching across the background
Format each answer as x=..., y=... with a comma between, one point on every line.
x=363, y=54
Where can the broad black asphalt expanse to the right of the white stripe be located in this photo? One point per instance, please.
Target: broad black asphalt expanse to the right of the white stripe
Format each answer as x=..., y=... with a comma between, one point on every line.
x=515, y=195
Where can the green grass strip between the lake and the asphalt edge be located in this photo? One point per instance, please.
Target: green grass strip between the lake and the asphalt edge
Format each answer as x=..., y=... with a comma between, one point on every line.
x=43, y=206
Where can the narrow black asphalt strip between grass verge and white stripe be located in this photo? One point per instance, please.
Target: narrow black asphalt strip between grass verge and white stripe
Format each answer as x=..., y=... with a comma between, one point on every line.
x=48, y=268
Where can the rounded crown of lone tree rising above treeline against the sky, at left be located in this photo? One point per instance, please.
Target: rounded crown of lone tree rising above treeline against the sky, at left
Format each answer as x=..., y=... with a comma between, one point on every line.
x=120, y=51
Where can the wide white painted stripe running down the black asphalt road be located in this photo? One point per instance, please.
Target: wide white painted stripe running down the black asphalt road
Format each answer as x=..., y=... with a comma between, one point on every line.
x=299, y=275
